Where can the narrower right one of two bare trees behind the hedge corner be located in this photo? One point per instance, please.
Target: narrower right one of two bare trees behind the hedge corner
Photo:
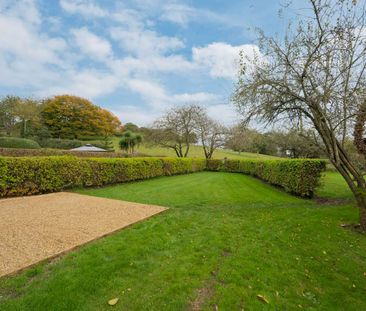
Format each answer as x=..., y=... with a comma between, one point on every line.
x=210, y=132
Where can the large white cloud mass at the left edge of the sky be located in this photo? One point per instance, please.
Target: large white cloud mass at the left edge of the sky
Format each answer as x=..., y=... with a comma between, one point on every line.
x=25, y=54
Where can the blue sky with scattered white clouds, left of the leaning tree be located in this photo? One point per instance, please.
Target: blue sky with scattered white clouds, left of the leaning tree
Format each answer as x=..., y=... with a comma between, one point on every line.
x=136, y=58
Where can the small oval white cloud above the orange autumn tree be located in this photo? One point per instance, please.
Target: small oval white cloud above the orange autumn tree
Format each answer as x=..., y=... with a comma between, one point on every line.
x=91, y=44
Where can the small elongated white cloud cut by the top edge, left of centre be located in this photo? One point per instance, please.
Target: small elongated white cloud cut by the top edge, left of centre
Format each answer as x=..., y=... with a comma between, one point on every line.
x=83, y=7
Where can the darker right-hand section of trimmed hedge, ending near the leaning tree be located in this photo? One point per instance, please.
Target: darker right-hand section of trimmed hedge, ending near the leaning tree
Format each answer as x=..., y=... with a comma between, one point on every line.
x=296, y=176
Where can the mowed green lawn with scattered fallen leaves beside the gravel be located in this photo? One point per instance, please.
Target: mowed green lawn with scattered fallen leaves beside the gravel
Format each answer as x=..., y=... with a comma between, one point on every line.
x=225, y=239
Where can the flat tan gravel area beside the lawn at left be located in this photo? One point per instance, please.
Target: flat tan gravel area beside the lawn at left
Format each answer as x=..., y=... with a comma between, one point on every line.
x=39, y=227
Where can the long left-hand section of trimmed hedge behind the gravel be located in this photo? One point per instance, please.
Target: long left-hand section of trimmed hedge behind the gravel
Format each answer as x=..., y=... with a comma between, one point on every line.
x=34, y=175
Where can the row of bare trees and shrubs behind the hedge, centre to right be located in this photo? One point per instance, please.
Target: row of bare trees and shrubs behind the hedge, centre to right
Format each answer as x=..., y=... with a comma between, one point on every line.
x=181, y=127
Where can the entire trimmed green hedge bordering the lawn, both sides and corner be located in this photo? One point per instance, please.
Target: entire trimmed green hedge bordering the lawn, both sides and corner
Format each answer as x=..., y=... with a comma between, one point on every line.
x=33, y=175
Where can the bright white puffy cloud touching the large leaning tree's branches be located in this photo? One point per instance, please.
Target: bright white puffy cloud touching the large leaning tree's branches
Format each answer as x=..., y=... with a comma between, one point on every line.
x=222, y=59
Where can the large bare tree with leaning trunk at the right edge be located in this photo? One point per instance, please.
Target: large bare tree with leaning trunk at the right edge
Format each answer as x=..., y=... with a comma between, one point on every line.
x=316, y=74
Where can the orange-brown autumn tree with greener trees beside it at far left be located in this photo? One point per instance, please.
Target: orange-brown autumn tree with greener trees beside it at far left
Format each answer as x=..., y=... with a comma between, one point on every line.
x=64, y=117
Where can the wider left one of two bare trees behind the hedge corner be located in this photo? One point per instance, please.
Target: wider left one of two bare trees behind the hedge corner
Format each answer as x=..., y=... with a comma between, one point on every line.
x=176, y=129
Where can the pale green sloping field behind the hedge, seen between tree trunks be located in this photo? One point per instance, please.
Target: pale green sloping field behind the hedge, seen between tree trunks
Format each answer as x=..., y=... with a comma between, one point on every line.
x=194, y=152
